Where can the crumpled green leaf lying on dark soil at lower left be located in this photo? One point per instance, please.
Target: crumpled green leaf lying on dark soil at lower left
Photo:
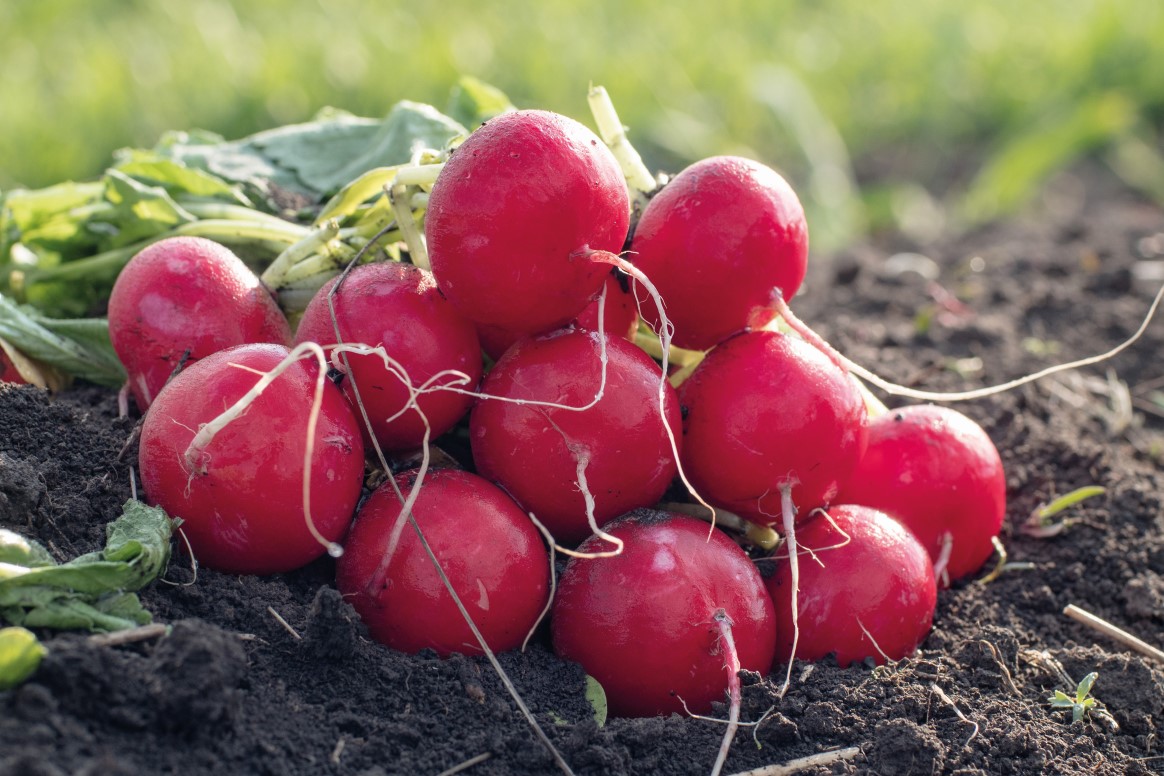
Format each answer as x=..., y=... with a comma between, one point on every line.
x=94, y=592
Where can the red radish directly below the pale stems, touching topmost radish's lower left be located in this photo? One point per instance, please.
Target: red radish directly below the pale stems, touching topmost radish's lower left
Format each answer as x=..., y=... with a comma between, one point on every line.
x=400, y=308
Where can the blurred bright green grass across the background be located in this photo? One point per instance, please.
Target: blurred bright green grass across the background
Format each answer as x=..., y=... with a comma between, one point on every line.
x=878, y=112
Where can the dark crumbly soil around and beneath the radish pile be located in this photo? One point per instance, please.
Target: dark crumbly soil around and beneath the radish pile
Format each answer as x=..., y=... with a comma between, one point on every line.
x=232, y=690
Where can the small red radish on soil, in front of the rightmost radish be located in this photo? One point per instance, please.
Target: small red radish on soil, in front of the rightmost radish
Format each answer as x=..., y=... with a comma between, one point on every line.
x=870, y=594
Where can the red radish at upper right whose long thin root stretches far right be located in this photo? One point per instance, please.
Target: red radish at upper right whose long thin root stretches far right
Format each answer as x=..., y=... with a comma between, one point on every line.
x=719, y=241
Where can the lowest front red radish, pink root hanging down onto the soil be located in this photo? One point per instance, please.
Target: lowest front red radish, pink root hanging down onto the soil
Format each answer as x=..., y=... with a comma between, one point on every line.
x=644, y=623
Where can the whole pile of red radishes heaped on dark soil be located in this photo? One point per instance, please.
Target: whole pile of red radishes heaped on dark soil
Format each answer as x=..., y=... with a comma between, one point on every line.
x=576, y=431
